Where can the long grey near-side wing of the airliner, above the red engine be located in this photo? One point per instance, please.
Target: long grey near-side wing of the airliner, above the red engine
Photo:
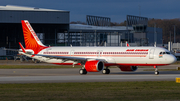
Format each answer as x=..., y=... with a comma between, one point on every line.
x=69, y=58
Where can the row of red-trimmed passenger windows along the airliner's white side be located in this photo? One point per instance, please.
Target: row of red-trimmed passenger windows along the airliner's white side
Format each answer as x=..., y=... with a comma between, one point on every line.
x=97, y=52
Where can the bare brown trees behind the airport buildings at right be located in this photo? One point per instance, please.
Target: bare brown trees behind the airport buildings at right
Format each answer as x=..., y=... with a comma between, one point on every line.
x=167, y=26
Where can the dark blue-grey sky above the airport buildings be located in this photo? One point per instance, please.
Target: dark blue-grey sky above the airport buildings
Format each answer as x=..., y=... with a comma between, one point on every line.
x=115, y=9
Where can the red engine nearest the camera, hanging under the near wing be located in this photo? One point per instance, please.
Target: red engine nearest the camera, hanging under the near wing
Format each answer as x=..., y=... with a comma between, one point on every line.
x=94, y=66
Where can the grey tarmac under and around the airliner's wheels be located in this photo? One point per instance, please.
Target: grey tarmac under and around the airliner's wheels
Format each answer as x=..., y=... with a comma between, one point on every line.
x=72, y=74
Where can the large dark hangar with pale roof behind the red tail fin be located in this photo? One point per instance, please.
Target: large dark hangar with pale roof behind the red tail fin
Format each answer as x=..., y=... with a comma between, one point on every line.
x=46, y=23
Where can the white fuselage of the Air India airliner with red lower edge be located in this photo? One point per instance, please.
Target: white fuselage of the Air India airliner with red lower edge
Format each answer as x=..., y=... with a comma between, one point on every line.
x=134, y=56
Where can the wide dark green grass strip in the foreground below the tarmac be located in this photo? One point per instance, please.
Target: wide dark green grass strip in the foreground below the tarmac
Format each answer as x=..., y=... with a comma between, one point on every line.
x=97, y=91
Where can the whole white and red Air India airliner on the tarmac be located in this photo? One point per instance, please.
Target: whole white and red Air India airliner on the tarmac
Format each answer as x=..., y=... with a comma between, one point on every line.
x=94, y=59
